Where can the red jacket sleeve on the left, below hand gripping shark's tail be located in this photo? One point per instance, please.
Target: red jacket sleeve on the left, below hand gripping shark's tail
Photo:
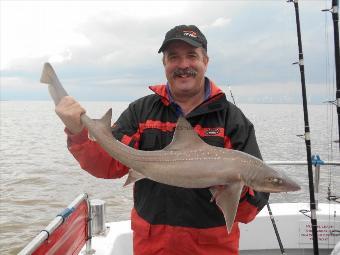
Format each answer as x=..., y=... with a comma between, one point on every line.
x=92, y=157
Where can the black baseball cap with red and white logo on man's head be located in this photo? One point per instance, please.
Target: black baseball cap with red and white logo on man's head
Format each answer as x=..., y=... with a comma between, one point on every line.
x=189, y=34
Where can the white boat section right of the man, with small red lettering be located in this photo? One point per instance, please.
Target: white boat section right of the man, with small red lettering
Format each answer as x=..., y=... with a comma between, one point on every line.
x=294, y=227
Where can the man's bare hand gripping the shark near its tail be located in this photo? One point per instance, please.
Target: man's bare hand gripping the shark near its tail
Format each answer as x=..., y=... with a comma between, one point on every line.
x=69, y=111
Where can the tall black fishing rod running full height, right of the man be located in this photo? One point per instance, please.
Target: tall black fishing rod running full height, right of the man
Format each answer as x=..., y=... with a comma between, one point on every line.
x=307, y=133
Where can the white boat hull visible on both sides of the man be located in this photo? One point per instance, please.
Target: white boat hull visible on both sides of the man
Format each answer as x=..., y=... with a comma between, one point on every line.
x=257, y=237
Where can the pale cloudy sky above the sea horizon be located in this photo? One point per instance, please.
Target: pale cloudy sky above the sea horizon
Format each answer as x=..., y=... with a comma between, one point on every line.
x=107, y=50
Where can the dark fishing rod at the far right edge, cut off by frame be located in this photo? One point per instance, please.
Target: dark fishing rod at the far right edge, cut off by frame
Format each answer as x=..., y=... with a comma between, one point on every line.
x=335, y=16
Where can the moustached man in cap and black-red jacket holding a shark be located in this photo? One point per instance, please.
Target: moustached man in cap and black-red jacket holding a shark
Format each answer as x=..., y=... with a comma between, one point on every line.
x=166, y=219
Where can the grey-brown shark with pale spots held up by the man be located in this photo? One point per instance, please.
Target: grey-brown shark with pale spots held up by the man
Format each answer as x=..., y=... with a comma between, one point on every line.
x=186, y=162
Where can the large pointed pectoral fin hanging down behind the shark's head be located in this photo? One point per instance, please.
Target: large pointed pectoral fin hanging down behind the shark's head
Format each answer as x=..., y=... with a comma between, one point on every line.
x=227, y=199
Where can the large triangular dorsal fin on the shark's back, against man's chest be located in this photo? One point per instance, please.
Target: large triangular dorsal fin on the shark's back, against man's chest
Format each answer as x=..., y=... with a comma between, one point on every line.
x=185, y=137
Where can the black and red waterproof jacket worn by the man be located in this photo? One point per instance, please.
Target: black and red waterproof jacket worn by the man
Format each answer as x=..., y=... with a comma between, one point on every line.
x=167, y=219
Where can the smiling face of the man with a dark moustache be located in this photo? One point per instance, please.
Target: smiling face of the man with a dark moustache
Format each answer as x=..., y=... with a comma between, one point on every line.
x=185, y=67
